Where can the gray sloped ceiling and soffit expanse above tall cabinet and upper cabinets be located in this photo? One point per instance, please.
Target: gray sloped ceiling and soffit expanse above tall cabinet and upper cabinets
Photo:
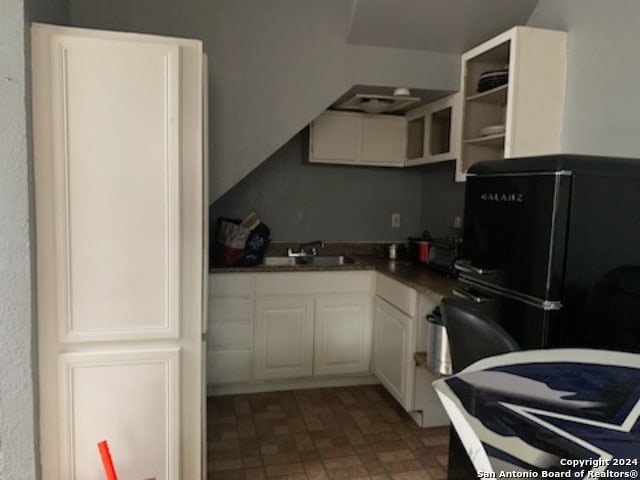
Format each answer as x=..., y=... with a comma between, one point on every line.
x=275, y=65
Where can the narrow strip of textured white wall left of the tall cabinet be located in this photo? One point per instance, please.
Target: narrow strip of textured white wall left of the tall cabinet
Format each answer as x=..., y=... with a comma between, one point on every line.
x=17, y=363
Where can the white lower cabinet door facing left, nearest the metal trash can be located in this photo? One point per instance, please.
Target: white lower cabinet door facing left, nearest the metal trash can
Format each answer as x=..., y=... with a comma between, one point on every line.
x=392, y=352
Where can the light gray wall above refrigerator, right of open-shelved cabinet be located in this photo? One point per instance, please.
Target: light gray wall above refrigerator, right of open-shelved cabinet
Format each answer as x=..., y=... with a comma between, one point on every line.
x=603, y=73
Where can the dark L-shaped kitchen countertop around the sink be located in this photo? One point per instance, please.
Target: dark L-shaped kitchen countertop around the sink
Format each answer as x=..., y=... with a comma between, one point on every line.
x=414, y=275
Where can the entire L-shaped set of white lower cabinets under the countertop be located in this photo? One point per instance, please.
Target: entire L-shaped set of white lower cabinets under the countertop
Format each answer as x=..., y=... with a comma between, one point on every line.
x=284, y=330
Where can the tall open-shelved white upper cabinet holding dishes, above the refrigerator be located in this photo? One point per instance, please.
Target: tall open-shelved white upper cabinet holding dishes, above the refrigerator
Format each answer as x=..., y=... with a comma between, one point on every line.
x=524, y=115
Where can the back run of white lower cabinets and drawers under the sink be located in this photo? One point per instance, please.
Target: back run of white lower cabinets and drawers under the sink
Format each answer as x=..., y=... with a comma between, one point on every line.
x=288, y=326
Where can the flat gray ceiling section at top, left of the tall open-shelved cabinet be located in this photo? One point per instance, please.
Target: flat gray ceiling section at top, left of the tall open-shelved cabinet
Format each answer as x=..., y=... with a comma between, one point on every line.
x=449, y=26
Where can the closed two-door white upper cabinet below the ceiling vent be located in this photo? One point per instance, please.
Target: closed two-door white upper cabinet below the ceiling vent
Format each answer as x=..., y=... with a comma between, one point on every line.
x=358, y=139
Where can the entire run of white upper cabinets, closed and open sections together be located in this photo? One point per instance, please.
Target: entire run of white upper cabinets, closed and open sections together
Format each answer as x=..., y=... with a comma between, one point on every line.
x=522, y=117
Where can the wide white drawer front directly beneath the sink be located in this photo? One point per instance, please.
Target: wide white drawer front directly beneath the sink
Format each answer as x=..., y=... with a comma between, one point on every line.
x=304, y=283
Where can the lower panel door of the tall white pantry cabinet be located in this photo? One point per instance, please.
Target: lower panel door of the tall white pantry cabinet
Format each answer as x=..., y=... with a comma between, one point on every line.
x=149, y=383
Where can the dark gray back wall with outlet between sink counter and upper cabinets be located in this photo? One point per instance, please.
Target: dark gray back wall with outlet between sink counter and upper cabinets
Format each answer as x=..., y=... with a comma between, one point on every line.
x=303, y=202
